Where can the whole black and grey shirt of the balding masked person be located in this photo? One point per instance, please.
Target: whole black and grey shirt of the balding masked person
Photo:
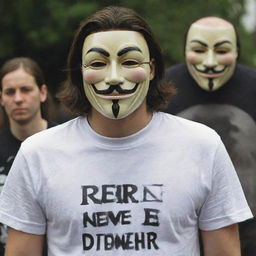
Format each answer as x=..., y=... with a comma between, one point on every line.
x=231, y=111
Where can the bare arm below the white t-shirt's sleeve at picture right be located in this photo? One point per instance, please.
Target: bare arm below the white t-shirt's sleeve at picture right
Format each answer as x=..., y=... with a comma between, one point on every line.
x=222, y=242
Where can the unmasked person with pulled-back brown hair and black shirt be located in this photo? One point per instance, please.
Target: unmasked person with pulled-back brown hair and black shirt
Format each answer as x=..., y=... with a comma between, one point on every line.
x=22, y=94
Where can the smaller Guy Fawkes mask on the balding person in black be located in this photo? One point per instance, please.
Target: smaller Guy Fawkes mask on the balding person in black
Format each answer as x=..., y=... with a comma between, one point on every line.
x=211, y=54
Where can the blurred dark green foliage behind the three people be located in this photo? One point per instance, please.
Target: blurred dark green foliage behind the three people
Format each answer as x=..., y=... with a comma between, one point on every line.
x=43, y=29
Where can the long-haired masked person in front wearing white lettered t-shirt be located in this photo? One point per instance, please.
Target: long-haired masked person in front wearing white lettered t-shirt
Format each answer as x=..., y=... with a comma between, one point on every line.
x=123, y=178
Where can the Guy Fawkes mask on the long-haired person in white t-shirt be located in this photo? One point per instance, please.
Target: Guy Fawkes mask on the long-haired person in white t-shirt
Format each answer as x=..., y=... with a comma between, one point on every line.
x=116, y=72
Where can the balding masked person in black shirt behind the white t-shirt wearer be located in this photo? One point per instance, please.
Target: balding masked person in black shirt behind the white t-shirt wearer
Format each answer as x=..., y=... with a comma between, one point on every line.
x=213, y=89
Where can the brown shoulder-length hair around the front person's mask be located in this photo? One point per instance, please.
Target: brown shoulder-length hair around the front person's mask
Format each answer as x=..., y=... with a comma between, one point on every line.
x=112, y=18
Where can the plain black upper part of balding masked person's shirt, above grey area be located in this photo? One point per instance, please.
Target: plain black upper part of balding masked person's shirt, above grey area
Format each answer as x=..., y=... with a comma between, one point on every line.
x=239, y=91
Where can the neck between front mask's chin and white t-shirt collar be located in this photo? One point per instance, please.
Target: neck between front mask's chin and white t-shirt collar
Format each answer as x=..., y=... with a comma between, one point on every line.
x=121, y=127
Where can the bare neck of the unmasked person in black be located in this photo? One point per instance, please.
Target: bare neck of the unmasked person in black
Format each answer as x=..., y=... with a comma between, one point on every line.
x=21, y=131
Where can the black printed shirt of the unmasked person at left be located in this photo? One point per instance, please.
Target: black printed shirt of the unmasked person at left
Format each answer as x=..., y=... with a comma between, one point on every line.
x=9, y=146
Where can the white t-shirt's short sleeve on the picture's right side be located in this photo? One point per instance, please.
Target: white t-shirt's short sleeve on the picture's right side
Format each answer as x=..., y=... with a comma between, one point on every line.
x=225, y=203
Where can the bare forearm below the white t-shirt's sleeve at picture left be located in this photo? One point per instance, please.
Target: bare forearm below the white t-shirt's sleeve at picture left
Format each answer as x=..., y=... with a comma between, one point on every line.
x=23, y=244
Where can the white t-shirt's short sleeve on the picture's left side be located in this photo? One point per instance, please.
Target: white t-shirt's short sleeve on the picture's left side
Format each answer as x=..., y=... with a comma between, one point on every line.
x=19, y=206
